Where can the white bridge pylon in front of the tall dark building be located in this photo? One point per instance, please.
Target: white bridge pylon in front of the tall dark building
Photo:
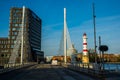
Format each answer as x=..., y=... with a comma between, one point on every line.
x=22, y=34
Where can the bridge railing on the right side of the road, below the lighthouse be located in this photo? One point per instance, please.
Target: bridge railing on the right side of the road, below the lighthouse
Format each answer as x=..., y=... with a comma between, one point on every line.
x=92, y=68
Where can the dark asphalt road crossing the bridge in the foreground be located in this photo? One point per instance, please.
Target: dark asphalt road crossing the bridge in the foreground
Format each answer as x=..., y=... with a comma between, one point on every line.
x=44, y=72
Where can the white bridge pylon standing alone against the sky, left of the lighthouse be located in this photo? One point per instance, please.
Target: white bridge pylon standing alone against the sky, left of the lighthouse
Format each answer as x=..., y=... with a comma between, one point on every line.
x=65, y=37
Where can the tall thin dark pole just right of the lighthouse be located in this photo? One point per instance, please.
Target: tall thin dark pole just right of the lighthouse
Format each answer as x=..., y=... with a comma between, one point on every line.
x=94, y=33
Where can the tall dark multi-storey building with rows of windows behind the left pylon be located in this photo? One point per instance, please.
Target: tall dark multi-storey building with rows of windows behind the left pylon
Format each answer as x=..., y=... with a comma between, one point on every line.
x=32, y=26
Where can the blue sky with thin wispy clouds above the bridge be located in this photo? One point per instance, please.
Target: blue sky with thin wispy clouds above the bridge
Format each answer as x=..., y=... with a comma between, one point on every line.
x=79, y=21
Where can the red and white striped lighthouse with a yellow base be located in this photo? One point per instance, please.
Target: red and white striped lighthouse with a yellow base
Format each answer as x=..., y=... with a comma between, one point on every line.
x=85, y=56
